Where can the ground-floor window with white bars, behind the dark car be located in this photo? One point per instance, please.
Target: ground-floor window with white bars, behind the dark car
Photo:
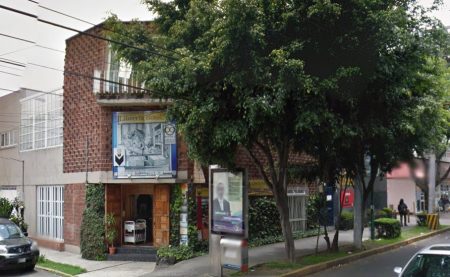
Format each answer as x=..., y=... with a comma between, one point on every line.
x=50, y=212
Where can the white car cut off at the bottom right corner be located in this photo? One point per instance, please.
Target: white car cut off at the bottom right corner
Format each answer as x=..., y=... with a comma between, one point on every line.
x=428, y=262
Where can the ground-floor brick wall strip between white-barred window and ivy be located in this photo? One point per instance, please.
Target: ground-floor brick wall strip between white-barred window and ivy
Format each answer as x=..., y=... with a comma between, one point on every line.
x=74, y=204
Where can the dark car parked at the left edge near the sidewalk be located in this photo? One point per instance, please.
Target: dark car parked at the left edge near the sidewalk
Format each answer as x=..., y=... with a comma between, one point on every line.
x=17, y=251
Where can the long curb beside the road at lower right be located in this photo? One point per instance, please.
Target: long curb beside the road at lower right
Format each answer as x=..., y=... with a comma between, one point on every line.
x=353, y=257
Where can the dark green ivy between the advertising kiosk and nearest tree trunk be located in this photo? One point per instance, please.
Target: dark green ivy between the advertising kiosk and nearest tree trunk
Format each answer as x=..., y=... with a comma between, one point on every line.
x=263, y=217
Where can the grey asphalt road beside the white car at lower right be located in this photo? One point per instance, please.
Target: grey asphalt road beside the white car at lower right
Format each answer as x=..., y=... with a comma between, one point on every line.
x=382, y=265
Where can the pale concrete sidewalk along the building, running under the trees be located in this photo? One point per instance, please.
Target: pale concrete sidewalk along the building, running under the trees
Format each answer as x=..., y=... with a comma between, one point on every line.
x=200, y=266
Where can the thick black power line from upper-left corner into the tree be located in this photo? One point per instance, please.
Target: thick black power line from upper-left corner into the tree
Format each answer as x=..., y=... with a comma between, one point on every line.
x=84, y=33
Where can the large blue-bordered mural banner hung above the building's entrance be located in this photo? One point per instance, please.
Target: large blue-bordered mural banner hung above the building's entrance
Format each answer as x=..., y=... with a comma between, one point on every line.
x=144, y=145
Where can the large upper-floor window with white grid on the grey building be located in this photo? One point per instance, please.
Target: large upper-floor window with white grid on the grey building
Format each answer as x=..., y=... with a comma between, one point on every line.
x=41, y=122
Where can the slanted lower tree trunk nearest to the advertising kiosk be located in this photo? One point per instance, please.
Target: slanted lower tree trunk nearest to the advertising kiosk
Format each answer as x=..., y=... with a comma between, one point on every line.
x=283, y=209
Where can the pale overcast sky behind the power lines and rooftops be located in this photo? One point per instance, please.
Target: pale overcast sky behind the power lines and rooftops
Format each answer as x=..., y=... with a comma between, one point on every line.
x=93, y=11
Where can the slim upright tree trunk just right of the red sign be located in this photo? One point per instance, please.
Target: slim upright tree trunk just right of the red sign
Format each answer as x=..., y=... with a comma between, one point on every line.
x=358, y=224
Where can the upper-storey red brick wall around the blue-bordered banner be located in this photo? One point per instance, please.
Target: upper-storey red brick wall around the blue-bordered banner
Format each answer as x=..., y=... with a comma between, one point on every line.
x=84, y=119
